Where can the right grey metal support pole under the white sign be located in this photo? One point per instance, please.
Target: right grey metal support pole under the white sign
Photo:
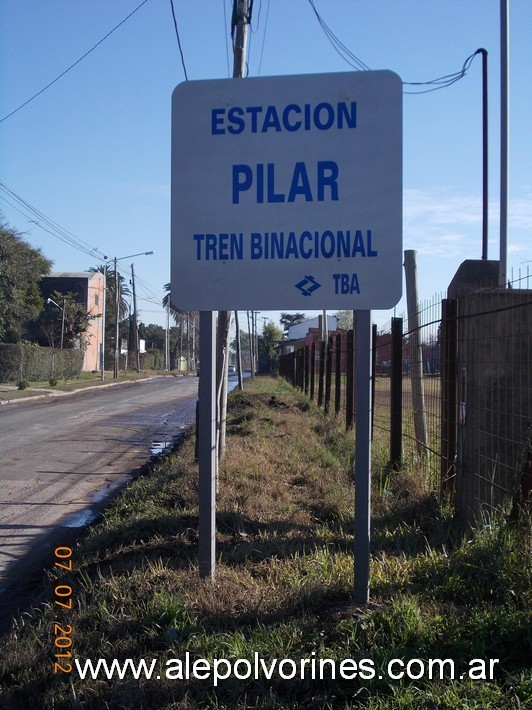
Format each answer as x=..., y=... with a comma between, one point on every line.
x=363, y=407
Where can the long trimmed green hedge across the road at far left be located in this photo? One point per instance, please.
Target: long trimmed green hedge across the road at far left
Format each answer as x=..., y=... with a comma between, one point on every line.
x=38, y=363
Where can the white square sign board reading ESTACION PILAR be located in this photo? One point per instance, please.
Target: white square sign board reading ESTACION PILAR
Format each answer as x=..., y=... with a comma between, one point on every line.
x=287, y=192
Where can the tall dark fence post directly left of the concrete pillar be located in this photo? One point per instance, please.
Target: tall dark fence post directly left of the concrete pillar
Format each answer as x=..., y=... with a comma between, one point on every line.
x=449, y=383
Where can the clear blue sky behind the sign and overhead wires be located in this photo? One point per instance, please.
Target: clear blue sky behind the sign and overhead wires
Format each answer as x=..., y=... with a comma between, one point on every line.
x=92, y=152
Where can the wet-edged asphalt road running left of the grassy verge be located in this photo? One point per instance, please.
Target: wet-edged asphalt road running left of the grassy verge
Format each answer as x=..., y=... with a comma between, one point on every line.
x=60, y=456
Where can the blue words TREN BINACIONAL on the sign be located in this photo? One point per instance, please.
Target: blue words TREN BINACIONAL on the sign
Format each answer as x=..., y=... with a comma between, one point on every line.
x=329, y=244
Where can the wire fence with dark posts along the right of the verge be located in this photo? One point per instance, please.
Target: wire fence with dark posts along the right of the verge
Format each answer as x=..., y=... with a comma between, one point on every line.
x=453, y=395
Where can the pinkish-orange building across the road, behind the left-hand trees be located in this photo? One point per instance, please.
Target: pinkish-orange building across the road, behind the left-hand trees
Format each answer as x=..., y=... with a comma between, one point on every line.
x=89, y=290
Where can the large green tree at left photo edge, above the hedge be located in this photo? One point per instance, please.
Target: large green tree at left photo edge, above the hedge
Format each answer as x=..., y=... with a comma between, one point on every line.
x=21, y=269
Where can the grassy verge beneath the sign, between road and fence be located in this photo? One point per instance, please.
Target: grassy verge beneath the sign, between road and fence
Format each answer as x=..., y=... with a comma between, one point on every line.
x=284, y=581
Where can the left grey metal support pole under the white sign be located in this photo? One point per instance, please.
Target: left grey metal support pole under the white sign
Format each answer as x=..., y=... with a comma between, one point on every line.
x=207, y=457
